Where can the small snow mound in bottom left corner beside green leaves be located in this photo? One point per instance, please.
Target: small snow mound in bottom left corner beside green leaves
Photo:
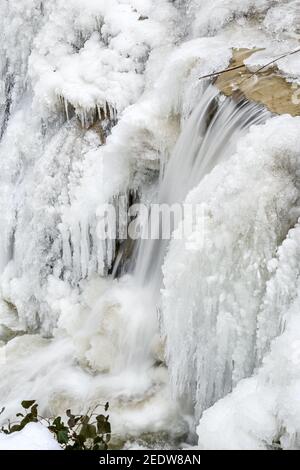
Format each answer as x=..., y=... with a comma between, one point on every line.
x=34, y=436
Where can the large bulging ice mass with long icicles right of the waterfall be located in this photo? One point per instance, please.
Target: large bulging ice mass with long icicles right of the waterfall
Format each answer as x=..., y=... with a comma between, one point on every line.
x=249, y=203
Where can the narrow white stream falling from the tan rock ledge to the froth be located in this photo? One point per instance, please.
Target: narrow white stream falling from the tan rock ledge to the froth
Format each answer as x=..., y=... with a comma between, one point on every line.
x=209, y=137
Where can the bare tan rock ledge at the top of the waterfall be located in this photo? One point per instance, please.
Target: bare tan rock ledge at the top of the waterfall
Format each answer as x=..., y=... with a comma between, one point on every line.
x=266, y=86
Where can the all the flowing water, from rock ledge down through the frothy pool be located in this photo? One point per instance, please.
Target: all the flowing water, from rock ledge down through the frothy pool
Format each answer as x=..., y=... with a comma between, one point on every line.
x=129, y=309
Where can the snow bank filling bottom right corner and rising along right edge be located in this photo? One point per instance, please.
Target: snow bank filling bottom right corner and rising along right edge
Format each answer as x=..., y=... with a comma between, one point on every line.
x=265, y=408
